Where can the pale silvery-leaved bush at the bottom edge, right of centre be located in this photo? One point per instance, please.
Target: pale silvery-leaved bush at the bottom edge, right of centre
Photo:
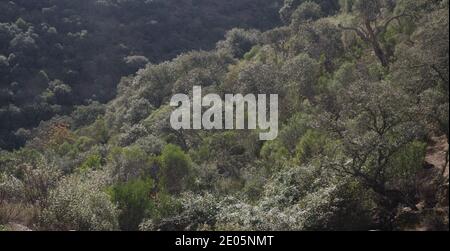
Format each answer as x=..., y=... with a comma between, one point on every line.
x=298, y=198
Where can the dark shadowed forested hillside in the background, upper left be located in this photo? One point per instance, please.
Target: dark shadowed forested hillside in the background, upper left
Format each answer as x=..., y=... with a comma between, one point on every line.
x=58, y=53
